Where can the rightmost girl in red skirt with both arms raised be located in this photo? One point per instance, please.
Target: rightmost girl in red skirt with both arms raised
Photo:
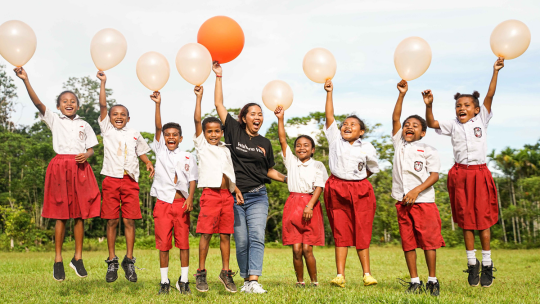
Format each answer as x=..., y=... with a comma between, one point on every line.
x=472, y=191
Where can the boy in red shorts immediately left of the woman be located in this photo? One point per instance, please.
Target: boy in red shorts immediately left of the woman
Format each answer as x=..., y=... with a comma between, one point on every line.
x=217, y=203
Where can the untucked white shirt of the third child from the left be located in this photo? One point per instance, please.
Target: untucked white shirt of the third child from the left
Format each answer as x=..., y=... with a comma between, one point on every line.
x=168, y=164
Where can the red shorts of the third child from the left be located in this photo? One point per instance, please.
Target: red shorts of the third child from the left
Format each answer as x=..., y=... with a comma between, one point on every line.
x=169, y=217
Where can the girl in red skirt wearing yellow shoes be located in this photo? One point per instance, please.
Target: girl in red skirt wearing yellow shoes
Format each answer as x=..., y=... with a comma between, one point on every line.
x=348, y=195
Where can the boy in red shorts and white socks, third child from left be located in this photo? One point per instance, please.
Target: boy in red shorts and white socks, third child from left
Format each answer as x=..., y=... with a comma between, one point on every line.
x=174, y=186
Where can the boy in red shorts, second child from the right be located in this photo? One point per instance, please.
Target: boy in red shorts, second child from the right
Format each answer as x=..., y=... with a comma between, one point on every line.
x=415, y=171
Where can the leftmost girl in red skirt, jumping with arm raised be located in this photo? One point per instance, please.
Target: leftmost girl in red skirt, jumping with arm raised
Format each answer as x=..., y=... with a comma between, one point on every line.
x=71, y=190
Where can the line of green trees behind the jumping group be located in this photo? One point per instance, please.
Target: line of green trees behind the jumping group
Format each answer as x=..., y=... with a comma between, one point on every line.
x=27, y=150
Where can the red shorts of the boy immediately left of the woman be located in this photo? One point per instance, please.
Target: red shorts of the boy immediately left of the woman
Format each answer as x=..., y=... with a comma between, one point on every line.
x=217, y=212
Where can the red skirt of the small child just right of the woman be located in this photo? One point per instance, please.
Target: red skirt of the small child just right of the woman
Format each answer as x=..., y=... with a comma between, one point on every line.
x=295, y=229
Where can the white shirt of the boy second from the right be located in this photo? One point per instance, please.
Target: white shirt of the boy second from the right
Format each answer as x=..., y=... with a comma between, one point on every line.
x=413, y=163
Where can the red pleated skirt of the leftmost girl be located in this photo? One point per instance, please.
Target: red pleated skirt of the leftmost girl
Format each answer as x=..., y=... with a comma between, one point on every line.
x=71, y=190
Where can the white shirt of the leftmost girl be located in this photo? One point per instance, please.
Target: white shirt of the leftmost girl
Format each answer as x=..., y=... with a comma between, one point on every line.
x=69, y=136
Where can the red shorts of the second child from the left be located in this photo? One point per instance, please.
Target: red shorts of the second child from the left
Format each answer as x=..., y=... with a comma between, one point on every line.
x=120, y=191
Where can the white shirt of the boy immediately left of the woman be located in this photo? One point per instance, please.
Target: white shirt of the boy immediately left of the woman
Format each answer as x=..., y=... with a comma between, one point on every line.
x=214, y=161
